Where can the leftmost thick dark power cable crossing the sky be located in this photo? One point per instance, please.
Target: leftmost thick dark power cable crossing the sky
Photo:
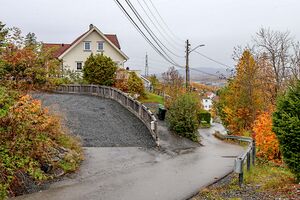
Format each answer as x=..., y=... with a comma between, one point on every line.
x=141, y=32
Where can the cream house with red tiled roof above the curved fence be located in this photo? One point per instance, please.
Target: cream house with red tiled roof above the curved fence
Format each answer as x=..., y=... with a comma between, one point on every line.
x=93, y=41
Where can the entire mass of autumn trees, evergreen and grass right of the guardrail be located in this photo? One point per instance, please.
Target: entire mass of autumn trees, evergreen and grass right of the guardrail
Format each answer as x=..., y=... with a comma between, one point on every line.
x=262, y=100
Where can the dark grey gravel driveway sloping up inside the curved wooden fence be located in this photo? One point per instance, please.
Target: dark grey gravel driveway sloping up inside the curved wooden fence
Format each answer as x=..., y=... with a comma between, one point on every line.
x=99, y=122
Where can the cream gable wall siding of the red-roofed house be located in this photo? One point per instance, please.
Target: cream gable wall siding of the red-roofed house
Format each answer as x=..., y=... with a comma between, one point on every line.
x=77, y=53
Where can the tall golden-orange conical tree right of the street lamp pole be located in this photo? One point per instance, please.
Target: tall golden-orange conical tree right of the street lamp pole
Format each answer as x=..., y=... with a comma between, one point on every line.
x=241, y=100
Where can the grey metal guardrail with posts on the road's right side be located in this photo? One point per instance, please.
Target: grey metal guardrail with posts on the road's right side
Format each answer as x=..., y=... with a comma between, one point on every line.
x=240, y=160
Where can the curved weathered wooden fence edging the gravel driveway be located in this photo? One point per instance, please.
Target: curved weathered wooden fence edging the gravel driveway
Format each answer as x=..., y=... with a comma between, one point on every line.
x=134, y=106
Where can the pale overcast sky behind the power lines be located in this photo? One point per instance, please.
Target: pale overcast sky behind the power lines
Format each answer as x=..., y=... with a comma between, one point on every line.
x=219, y=24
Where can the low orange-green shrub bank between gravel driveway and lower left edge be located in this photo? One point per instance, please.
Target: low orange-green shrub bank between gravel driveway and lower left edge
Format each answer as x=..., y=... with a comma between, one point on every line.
x=33, y=144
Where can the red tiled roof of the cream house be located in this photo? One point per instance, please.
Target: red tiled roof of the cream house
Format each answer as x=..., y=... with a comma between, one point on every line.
x=59, y=49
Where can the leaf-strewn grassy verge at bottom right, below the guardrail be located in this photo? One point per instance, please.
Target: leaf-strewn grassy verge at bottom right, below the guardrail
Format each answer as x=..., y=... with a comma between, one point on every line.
x=265, y=180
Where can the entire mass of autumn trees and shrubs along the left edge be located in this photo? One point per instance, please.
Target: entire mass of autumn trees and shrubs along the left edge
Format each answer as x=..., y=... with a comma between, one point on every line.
x=34, y=147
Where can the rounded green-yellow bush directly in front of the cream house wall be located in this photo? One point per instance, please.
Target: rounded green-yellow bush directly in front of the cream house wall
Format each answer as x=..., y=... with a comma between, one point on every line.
x=99, y=69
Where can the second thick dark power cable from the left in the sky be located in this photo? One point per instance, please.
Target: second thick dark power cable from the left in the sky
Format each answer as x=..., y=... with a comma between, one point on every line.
x=150, y=32
